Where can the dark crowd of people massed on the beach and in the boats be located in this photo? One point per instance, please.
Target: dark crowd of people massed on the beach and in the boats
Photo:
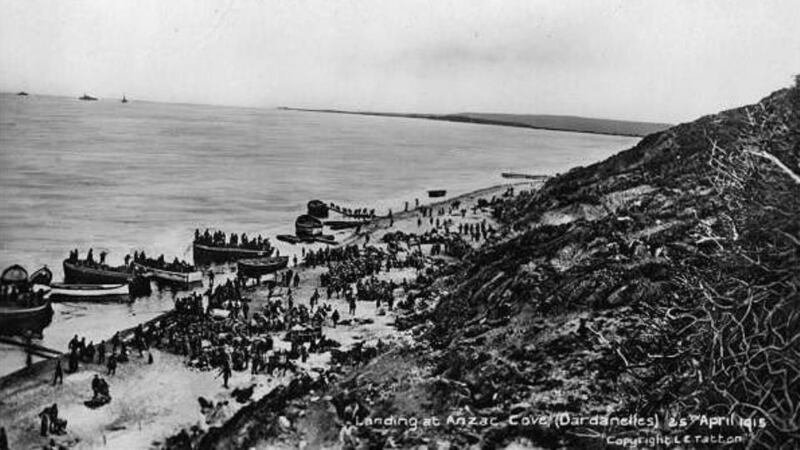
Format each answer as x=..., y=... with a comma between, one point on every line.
x=220, y=330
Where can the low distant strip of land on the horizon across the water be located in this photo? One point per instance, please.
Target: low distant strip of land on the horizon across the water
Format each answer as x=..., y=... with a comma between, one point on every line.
x=543, y=122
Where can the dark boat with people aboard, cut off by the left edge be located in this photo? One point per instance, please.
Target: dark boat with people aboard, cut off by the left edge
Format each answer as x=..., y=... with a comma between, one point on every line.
x=21, y=309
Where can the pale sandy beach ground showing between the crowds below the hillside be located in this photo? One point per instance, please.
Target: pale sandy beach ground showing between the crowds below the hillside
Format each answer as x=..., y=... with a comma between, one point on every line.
x=151, y=402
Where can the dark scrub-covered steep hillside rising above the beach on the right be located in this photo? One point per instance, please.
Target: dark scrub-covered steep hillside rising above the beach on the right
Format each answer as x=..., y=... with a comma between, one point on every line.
x=660, y=283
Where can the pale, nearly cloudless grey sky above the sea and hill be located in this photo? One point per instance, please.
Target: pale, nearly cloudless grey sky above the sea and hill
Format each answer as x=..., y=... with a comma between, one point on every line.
x=664, y=61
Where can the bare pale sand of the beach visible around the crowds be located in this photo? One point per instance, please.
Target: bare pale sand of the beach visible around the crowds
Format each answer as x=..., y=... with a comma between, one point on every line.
x=28, y=390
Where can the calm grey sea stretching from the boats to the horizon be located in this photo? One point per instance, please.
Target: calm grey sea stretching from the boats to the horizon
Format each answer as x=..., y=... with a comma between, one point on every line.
x=120, y=177
